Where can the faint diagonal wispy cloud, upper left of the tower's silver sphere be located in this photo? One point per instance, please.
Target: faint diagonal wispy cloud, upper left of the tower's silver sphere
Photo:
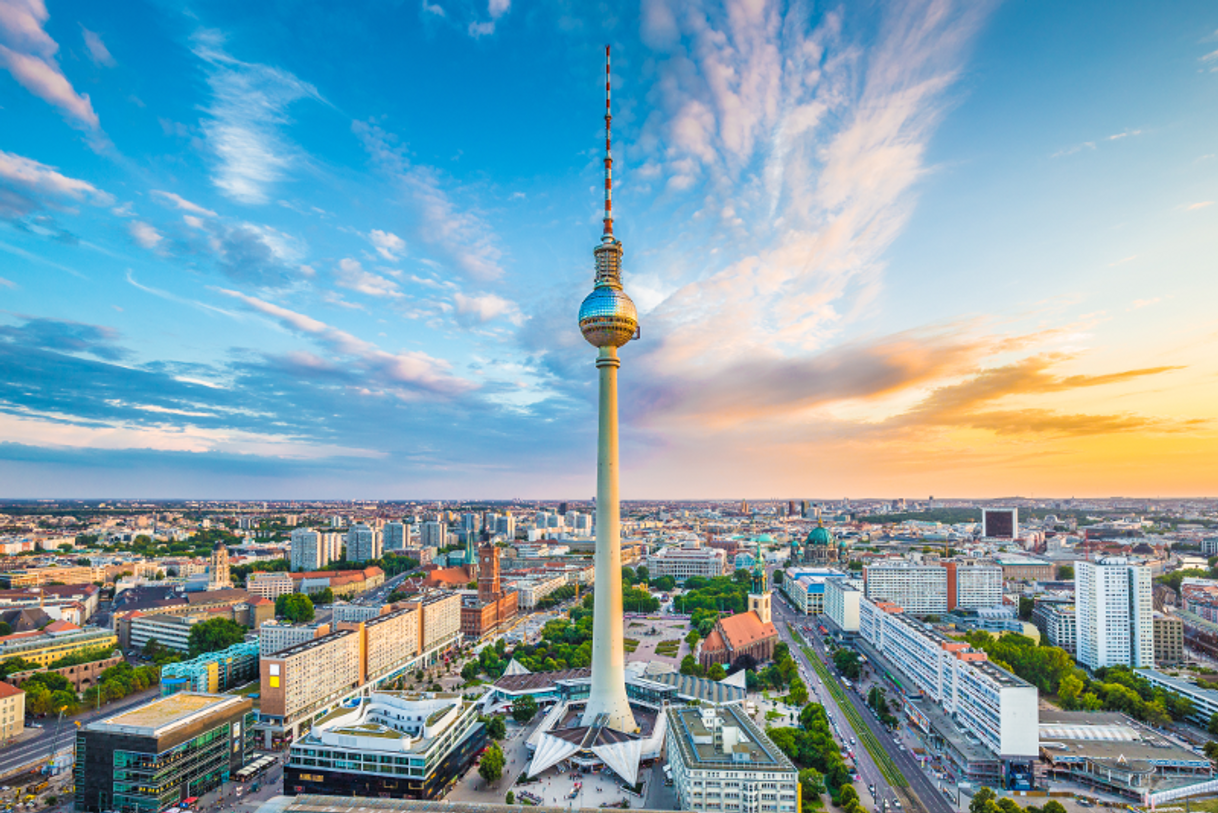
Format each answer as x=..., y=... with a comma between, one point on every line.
x=461, y=236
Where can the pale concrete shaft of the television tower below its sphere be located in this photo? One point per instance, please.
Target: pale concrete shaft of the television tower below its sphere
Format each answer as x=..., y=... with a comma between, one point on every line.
x=608, y=692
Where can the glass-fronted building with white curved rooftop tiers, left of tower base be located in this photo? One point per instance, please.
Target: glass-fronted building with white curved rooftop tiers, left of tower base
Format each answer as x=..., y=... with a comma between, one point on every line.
x=394, y=745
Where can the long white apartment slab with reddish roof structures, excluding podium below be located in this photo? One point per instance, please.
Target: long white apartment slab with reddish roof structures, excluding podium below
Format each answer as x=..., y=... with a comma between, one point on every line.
x=985, y=700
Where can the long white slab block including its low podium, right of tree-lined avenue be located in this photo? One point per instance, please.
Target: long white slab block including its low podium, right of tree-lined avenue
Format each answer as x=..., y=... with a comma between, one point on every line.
x=973, y=711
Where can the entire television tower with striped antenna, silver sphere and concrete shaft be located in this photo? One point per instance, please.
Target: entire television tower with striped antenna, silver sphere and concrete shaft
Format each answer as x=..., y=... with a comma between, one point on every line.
x=608, y=320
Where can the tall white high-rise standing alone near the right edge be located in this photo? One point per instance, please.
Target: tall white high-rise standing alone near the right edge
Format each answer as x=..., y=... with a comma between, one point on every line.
x=1115, y=614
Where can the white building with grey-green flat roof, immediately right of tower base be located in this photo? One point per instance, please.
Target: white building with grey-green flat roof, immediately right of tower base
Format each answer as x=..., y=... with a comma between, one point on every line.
x=722, y=761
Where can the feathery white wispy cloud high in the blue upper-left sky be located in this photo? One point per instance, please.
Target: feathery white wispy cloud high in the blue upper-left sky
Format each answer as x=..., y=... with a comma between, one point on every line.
x=248, y=114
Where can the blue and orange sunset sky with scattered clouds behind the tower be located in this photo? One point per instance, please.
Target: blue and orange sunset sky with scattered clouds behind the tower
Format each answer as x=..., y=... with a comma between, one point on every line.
x=306, y=250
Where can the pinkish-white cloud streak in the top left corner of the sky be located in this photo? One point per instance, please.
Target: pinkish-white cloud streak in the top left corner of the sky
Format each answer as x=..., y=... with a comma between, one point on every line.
x=29, y=54
